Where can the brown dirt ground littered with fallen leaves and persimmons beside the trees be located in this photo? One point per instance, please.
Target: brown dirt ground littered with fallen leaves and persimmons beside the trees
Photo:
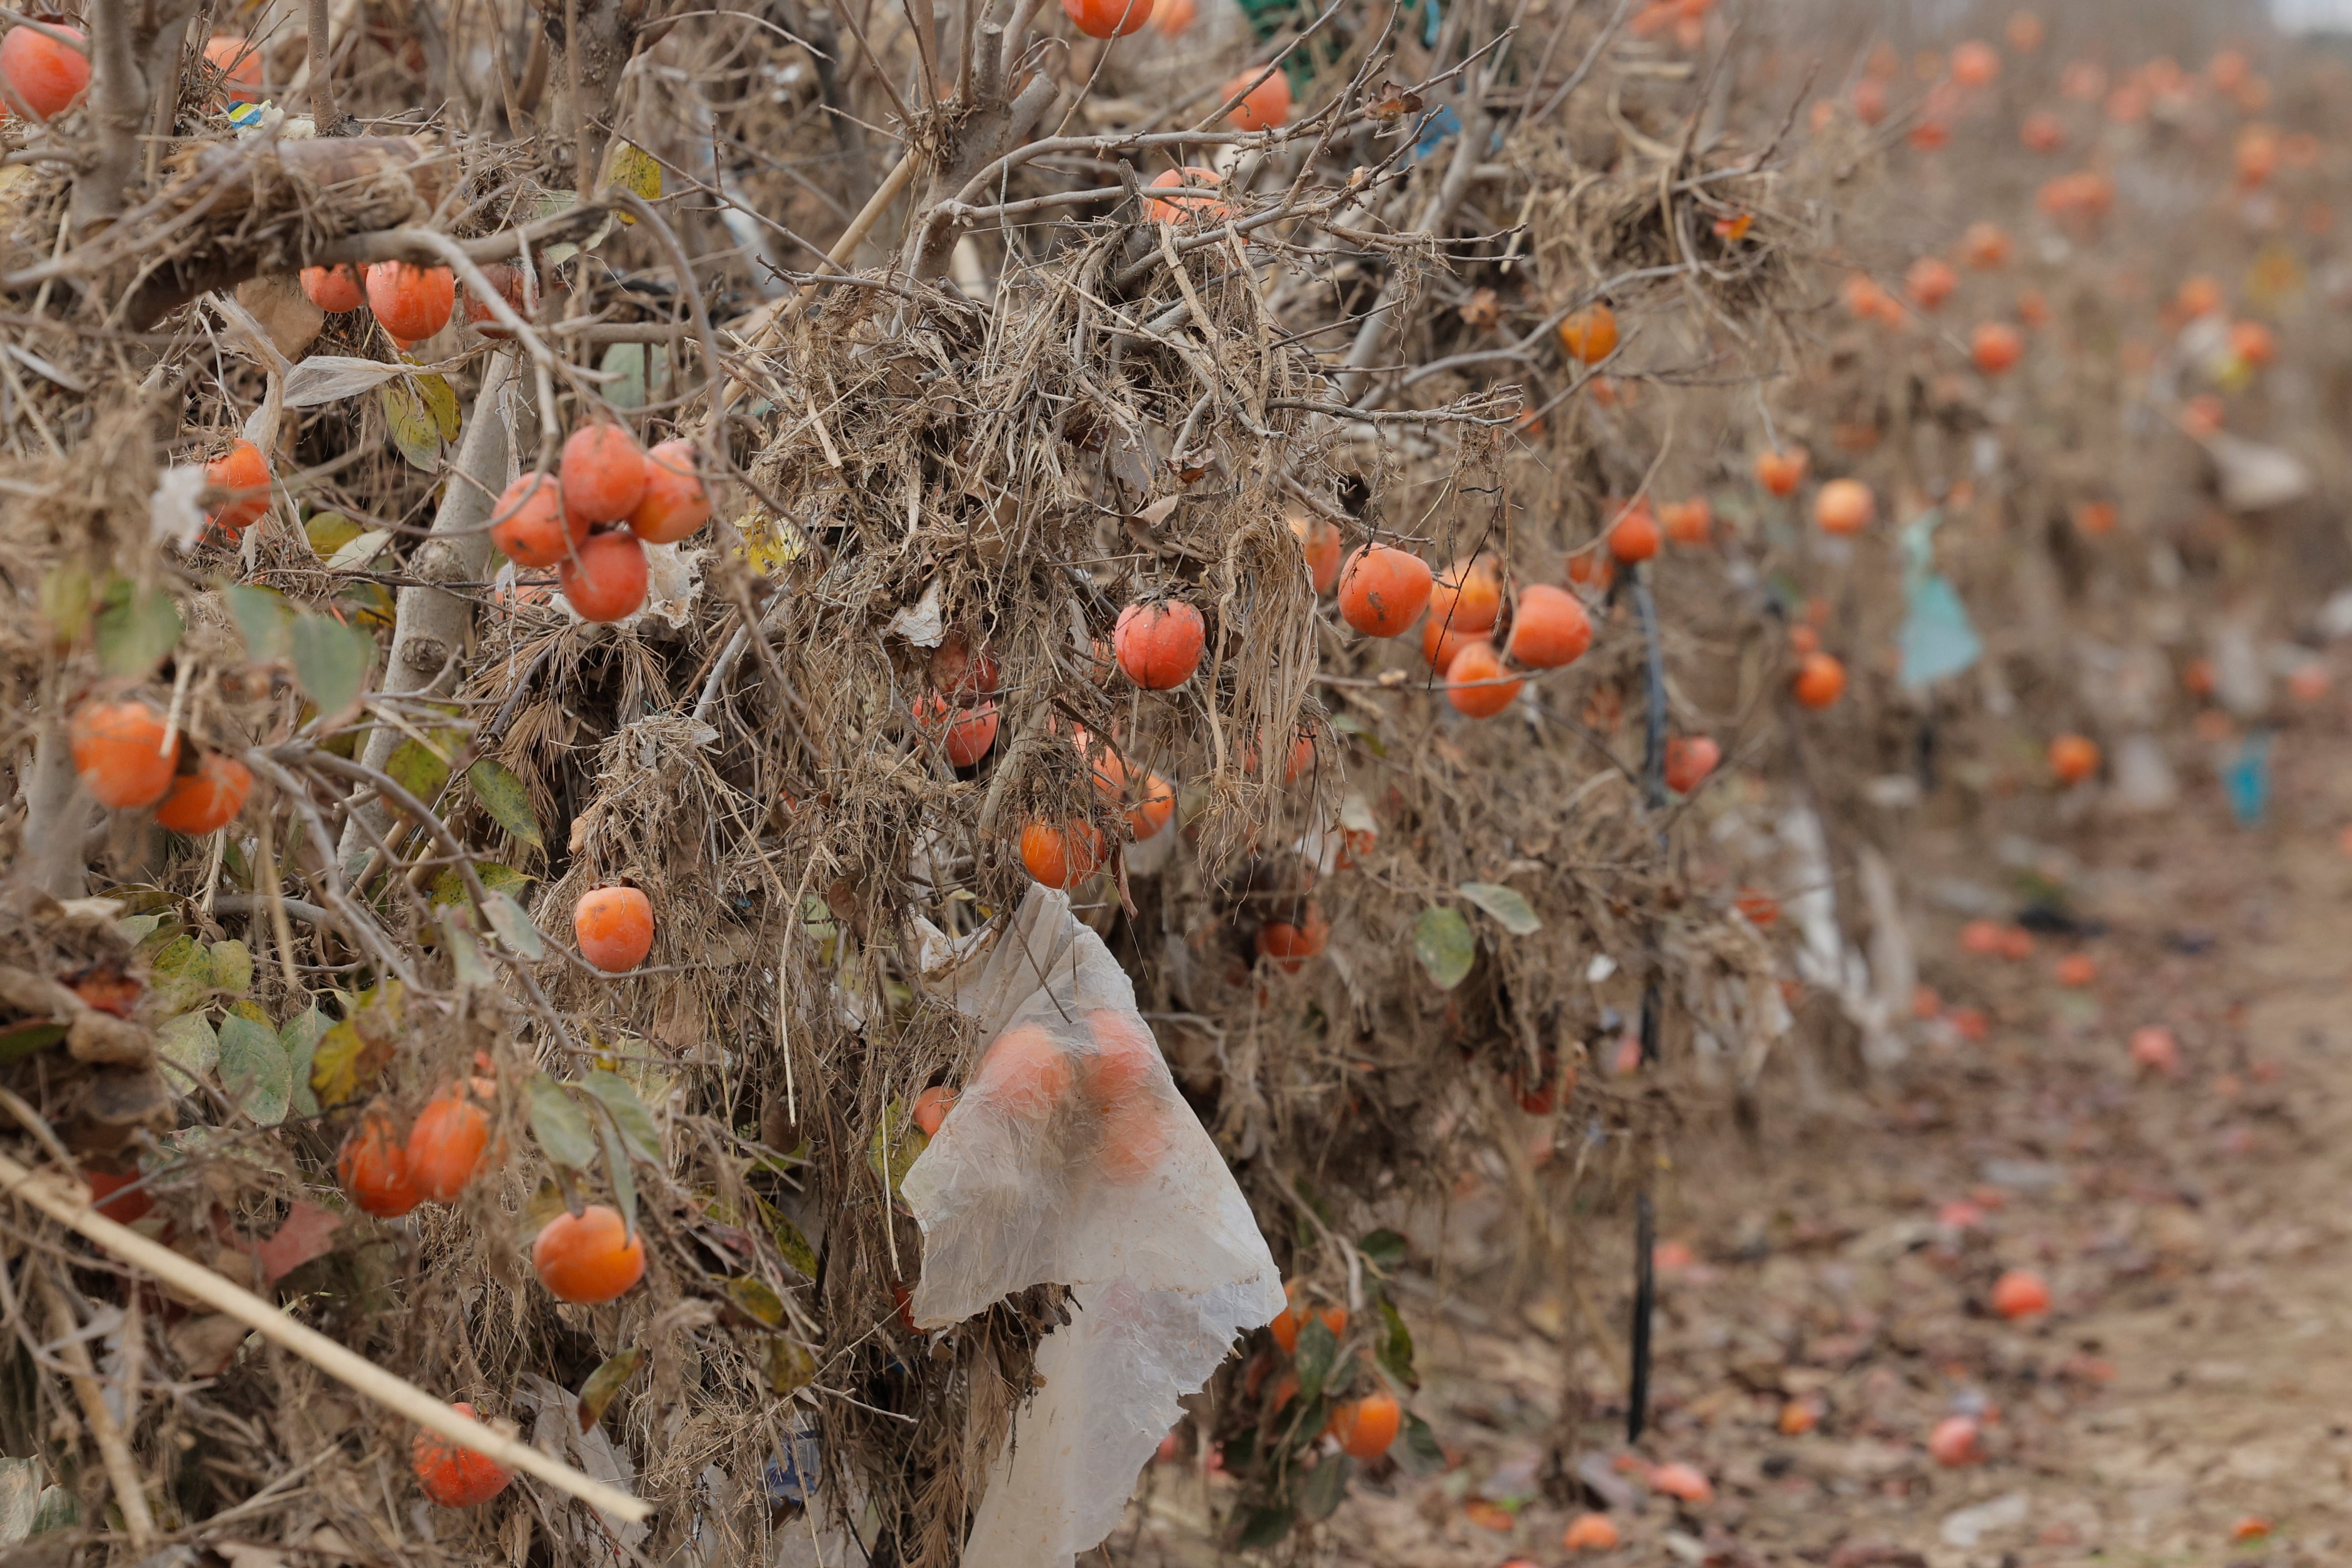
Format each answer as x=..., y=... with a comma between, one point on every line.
x=2193, y=1376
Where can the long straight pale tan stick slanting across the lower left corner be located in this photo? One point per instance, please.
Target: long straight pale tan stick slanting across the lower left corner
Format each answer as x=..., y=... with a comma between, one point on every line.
x=72, y=1205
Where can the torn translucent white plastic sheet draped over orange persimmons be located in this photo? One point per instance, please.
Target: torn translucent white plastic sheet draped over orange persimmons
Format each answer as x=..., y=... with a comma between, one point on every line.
x=1071, y=1160
